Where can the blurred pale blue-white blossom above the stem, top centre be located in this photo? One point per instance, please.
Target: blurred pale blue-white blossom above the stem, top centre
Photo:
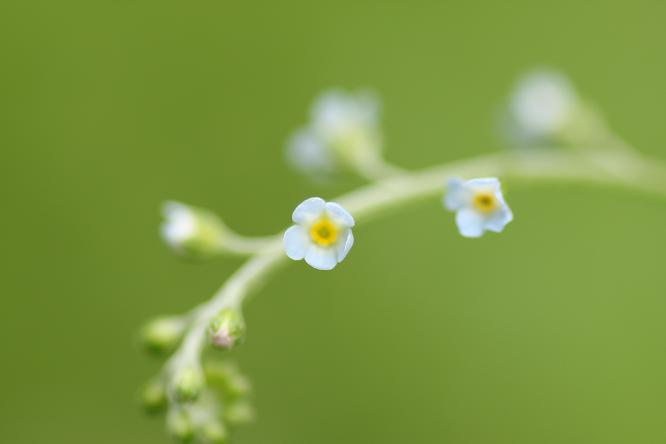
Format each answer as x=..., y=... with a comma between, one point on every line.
x=343, y=131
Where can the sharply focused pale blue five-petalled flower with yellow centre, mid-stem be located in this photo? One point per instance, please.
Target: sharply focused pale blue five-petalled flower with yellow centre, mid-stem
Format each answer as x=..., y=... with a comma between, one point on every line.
x=322, y=234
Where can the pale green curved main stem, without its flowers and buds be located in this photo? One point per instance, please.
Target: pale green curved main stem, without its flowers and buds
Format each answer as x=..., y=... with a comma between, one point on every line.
x=599, y=168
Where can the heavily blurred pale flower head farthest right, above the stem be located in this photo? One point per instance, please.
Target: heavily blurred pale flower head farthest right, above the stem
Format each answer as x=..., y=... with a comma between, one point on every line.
x=542, y=104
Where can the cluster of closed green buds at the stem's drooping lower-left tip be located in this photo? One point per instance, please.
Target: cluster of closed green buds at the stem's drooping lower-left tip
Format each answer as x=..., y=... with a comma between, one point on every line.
x=202, y=402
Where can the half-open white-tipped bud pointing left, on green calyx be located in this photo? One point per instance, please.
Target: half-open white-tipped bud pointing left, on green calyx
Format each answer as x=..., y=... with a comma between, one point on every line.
x=192, y=231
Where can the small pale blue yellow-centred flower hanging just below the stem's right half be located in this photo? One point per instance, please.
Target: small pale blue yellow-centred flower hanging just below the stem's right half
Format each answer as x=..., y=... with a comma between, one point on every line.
x=479, y=206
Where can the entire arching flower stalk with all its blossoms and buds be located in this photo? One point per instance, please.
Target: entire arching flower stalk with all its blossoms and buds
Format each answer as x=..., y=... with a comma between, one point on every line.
x=334, y=140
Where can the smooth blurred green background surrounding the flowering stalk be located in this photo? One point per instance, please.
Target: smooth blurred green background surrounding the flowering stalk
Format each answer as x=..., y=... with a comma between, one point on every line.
x=552, y=332
